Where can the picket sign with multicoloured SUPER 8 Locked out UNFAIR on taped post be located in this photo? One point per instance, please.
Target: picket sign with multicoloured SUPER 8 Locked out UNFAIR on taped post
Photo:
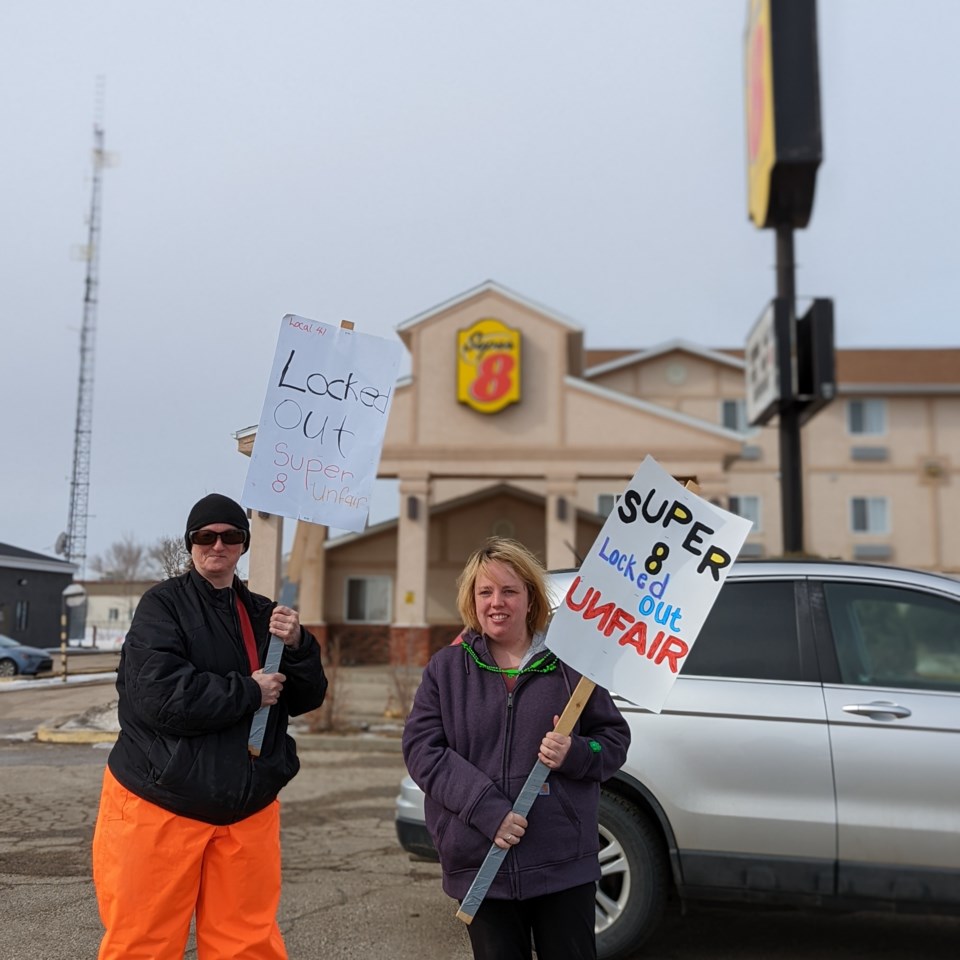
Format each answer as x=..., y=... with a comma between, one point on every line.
x=632, y=614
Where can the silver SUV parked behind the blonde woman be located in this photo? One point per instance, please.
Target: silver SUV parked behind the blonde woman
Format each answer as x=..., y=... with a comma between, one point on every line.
x=807, y=754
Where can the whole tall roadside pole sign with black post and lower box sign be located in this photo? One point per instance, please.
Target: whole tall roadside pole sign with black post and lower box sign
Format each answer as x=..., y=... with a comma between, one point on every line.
x=784, y=150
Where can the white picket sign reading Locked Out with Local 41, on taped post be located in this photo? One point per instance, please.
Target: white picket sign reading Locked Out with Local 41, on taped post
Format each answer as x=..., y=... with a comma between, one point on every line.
x=320, y=435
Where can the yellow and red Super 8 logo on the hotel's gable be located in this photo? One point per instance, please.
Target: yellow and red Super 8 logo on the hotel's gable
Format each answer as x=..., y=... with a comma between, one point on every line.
x=488, y=366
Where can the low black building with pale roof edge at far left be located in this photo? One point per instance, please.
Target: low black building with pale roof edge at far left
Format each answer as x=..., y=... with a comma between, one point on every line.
x=31, y=589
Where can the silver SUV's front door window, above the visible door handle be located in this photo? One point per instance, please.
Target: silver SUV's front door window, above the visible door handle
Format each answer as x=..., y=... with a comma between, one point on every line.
x=894, y=637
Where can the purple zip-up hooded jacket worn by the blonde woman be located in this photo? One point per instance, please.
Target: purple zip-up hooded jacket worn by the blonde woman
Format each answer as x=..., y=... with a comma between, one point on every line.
x=470, y=745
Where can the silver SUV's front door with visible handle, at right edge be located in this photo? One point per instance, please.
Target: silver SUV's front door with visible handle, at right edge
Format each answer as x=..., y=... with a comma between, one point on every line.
x=895, y=733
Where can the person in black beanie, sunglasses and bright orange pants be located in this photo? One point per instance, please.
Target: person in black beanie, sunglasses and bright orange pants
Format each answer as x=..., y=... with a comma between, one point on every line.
x=189, y=822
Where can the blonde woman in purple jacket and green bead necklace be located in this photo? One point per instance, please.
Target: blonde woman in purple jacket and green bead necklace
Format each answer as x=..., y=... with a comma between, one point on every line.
x=483, y=715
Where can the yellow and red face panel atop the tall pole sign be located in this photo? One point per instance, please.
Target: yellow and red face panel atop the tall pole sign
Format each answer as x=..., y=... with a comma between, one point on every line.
x=761, y=142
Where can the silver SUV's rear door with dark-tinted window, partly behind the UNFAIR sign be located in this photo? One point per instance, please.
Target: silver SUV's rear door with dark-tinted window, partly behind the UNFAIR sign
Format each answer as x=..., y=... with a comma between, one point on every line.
x=742, y=752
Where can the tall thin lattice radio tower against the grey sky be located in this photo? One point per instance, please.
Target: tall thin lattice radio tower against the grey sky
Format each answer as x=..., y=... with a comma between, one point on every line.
x=72, y=543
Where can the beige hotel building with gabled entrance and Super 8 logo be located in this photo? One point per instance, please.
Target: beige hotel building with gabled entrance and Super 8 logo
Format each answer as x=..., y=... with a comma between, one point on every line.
x=509, y=425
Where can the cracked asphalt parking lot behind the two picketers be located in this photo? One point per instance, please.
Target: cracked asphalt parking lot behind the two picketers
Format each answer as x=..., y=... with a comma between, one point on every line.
x=349, y=891
